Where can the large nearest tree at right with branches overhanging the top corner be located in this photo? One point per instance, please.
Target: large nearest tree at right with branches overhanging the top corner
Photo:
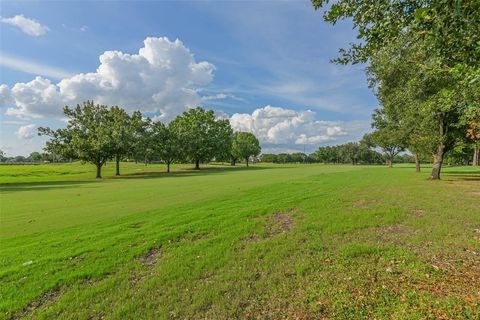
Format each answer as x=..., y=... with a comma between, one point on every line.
x=444, y=36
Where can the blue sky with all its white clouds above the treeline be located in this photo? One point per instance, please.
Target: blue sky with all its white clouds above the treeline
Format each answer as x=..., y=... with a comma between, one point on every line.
x=263, y=64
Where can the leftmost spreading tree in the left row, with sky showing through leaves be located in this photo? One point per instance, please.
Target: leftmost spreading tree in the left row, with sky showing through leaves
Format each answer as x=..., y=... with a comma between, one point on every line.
x=88, y=135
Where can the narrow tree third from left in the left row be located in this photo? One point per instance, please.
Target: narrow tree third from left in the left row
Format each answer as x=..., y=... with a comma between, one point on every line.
x=166, y=145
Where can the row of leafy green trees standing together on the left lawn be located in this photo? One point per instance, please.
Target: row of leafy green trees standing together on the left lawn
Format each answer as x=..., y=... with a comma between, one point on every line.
x=98, y=133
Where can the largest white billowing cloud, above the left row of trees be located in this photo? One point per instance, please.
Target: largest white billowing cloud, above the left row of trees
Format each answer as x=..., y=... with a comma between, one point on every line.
x=163, y=78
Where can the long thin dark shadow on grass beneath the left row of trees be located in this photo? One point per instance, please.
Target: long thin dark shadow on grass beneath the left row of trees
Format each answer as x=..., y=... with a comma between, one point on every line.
x=51, y=185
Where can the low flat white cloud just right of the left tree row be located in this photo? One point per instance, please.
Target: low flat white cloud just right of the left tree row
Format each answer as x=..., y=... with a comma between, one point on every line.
x=281, y=126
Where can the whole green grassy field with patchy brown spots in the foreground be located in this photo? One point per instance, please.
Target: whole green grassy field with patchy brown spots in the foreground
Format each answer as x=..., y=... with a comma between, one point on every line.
x=265, y=242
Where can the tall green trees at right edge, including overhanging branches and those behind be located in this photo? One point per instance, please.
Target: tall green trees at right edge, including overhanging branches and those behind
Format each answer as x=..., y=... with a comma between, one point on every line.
x=423, y=62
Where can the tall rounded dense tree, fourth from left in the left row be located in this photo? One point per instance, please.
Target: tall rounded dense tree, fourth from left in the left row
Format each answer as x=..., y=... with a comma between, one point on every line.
x=201, y=136
